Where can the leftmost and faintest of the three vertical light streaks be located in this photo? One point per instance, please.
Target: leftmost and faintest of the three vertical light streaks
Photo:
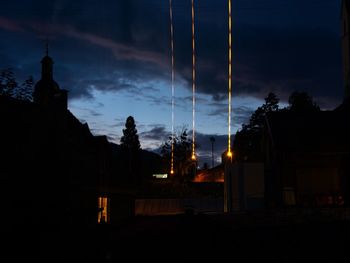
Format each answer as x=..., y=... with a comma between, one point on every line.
x=172, y=86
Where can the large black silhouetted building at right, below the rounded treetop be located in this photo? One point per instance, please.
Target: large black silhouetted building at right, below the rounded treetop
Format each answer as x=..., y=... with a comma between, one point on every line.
x=307, y=158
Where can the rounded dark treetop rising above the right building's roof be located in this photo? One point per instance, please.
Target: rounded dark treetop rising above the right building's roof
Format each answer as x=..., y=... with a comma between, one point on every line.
x=302, y=102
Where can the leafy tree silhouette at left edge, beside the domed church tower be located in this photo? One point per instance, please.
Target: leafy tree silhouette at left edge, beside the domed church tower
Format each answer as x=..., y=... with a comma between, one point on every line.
x=9, y=87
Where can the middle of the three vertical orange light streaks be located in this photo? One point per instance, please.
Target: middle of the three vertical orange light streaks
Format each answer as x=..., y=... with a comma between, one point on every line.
x=193, y=86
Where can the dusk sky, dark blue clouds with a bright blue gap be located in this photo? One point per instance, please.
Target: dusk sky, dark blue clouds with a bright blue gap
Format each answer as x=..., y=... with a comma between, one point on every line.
x=114, y=58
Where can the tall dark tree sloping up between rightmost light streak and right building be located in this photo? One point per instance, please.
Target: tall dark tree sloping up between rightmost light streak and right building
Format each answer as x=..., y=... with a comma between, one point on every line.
x=247, y=141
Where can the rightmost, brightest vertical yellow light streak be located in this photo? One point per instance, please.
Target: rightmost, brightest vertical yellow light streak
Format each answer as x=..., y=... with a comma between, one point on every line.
x=229, y=153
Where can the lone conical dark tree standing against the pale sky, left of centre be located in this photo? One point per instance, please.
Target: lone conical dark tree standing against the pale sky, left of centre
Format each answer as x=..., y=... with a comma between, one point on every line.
x=131, y=144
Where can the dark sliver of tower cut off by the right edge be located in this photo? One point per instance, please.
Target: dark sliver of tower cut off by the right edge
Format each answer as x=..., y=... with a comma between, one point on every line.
x=345, y=19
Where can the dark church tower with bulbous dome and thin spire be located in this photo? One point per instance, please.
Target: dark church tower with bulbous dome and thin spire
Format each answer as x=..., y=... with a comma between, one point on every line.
x=47, y=92
